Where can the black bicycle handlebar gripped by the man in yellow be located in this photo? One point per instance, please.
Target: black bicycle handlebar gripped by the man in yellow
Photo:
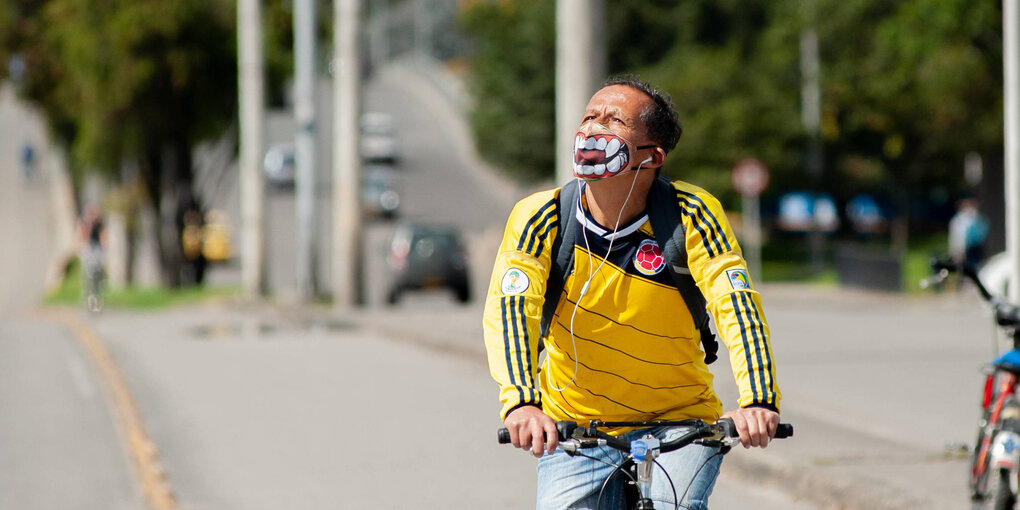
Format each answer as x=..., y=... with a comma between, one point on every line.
x=725, y=428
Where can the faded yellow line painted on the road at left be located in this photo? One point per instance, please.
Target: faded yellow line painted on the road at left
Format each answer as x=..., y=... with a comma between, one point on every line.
x=143, y=452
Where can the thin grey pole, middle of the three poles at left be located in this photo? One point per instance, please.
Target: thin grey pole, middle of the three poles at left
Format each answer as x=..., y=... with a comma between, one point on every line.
x=305, y=147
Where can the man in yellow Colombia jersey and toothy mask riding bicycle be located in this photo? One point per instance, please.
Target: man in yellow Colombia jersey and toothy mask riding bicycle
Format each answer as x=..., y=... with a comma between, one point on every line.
x=622, y=344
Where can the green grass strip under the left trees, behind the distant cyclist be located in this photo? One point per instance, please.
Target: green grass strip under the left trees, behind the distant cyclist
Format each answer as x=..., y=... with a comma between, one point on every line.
x=133, y=297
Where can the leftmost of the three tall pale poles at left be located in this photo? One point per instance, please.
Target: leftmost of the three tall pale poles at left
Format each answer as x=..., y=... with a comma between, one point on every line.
x=251, y=92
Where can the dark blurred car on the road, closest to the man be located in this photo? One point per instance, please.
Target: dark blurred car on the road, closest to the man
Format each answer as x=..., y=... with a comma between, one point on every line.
x=428, y=258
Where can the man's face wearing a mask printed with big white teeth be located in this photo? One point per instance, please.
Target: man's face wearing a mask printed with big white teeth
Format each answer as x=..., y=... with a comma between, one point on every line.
x=610, y=133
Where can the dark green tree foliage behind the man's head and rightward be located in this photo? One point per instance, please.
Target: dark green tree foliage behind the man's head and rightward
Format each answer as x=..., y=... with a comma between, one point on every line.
x=908, y=88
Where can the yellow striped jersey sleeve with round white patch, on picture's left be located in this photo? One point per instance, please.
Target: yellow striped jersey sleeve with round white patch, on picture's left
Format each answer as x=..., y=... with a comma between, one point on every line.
x=514, y=303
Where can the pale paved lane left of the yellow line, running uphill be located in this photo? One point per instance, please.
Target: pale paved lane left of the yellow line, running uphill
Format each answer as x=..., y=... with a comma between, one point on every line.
x=61, y=448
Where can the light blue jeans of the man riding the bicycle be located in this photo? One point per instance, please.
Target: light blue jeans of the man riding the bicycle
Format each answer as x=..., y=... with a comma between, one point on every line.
x=574, y=483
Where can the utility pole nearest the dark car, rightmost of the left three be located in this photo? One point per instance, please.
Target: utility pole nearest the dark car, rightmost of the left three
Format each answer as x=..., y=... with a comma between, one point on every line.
x=346, y=161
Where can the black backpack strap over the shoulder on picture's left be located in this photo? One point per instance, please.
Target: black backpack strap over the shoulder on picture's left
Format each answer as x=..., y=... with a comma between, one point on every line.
x=563, y=253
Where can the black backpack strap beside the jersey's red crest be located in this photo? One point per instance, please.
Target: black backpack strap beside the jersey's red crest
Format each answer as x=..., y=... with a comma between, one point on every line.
x=665, y=214
